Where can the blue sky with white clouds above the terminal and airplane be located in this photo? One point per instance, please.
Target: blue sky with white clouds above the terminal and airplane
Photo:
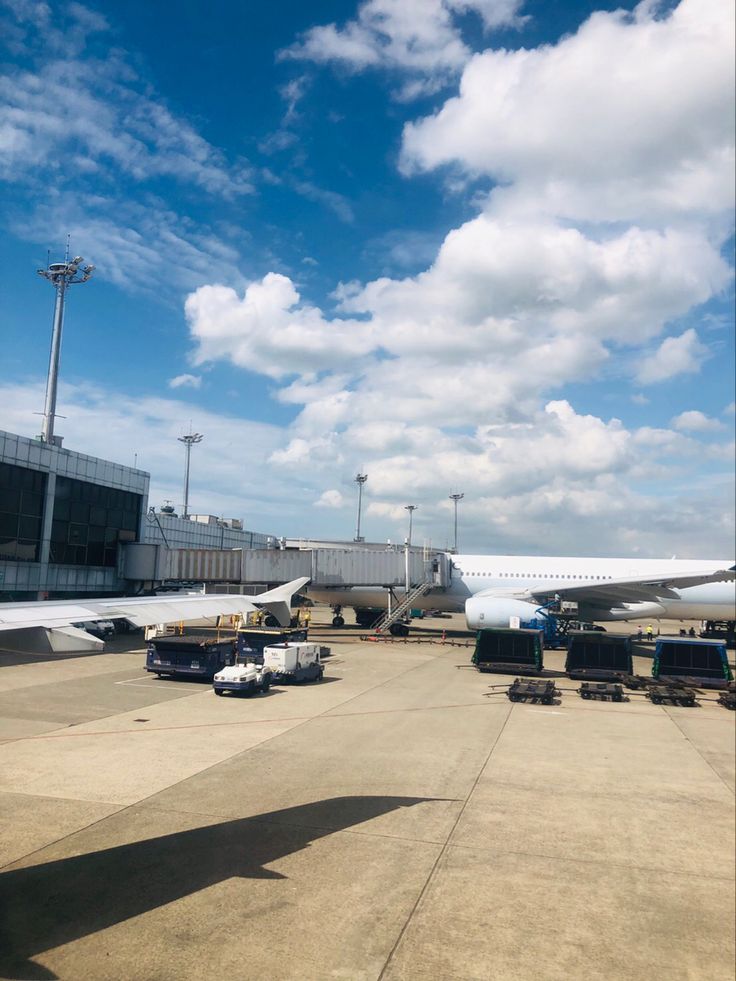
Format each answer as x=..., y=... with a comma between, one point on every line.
x=461, y=246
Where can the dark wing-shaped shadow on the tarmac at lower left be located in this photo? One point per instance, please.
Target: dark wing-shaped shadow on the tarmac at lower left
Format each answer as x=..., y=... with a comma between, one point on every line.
x=55, y=903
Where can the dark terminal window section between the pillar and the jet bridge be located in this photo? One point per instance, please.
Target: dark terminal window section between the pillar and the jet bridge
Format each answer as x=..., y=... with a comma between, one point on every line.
x=90, y=520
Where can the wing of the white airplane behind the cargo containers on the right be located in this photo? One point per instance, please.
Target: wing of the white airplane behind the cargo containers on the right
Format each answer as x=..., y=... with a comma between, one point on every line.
x=609, y=593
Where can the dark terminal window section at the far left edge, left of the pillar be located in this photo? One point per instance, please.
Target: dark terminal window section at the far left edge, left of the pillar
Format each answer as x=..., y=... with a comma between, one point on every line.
x=21, y=512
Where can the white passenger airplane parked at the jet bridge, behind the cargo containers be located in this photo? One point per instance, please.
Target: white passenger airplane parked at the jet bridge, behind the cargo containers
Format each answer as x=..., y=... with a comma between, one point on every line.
x=492, y=589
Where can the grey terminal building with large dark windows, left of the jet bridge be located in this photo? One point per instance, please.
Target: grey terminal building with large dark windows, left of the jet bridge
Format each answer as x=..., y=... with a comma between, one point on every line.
x=66, y=520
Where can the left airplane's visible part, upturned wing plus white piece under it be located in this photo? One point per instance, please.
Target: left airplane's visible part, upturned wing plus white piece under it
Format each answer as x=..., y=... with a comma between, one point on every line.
x=48, y=623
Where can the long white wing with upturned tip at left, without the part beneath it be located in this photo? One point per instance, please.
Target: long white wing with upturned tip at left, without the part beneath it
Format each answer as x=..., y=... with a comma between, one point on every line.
x=146, y=610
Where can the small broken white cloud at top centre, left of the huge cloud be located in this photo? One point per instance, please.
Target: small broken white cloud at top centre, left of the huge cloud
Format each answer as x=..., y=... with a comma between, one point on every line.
x=419, y=37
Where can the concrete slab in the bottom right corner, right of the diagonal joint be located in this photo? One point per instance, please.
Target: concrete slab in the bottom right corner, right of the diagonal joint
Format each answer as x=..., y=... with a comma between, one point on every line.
x=530, y=917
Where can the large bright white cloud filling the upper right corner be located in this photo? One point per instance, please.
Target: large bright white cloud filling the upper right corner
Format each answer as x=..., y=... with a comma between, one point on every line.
x=631, y=115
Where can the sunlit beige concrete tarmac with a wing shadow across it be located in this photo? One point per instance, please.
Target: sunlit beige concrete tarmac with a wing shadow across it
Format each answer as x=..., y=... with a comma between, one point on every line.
x=401, y=819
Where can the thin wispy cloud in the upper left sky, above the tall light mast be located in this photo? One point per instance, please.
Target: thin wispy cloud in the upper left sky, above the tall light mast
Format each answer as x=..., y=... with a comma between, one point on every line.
x=101, y=115
